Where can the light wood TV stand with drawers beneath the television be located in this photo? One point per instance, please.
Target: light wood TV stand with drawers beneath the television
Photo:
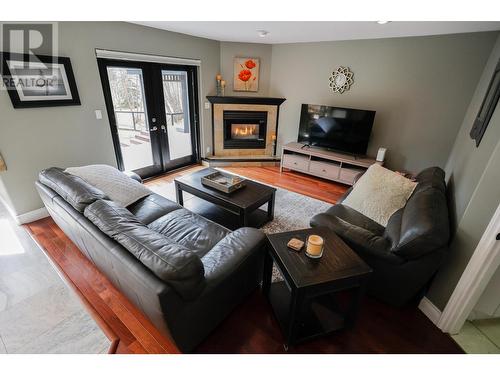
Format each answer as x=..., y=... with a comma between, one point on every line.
x=331, y=165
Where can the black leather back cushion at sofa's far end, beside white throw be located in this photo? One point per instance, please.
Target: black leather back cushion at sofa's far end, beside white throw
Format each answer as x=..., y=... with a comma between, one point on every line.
x=74, y=190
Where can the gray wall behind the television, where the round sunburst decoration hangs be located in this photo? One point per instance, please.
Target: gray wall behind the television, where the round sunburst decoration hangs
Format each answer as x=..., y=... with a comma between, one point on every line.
x=420, y=88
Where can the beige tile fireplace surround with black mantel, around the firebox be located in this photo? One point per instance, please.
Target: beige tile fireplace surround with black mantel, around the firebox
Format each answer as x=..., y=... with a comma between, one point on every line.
x=240, y=103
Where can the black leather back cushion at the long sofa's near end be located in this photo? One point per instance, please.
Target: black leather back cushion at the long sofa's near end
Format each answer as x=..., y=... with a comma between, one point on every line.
x=175, y=264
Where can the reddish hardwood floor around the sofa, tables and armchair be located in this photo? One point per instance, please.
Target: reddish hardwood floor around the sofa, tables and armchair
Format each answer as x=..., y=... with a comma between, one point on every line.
x=251, y=328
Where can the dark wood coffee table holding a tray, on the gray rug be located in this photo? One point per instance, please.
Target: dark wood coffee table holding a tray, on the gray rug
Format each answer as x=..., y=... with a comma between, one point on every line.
x=240, y=208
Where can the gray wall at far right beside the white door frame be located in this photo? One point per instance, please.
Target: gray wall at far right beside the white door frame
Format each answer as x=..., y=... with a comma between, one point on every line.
x=474, y=177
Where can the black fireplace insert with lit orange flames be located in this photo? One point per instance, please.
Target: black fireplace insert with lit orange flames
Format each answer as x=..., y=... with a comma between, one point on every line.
x=245, y=129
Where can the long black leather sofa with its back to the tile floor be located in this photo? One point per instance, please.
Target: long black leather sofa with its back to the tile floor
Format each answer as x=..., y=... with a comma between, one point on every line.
x=181, y=270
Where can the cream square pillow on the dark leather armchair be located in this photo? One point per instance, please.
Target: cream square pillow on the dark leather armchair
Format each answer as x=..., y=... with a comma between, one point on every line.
x=379, y=193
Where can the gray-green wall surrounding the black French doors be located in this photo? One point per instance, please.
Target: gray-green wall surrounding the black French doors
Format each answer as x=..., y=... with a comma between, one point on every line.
x=33, y=139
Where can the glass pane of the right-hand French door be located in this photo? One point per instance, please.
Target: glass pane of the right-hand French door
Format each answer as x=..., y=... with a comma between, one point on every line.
x=177, y=113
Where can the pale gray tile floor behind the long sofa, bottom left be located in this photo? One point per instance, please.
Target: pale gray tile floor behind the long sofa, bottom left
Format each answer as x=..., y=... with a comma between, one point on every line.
x=39, y=313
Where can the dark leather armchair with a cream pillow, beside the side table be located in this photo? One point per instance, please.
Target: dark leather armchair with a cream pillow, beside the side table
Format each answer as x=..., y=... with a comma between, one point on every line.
x=407, y=253
